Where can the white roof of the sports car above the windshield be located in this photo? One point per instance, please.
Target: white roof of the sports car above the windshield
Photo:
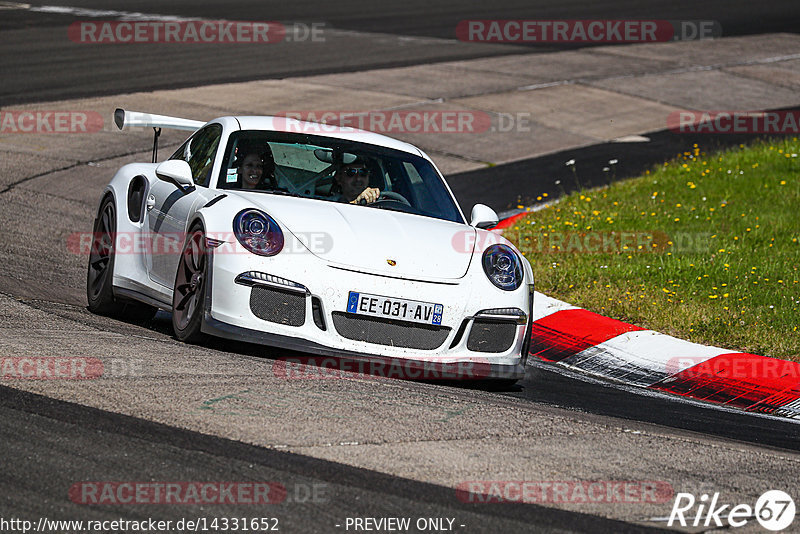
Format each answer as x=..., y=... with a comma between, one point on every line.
x=290, y=125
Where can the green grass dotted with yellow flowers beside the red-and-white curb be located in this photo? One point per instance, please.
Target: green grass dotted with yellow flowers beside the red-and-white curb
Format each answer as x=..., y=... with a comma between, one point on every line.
x=705, y=248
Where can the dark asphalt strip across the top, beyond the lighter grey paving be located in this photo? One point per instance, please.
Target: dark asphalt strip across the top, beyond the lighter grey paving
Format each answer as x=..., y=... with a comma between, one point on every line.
x=38, y=62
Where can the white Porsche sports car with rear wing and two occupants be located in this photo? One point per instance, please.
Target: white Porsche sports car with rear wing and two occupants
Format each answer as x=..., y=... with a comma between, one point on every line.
x=330, y=241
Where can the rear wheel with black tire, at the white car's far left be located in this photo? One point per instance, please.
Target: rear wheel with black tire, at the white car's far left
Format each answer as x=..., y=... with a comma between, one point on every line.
x=100, y=271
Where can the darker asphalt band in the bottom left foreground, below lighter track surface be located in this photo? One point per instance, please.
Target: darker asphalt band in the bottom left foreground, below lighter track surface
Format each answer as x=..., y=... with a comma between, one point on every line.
x=319, y=494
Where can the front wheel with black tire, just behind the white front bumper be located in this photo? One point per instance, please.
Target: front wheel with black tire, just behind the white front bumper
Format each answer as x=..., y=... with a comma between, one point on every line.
x=188, y=296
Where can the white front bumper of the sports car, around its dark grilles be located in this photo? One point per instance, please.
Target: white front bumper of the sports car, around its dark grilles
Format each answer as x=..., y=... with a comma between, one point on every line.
x=324, y=289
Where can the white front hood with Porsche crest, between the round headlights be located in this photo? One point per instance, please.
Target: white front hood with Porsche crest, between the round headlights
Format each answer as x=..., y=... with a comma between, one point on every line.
x=366, y=239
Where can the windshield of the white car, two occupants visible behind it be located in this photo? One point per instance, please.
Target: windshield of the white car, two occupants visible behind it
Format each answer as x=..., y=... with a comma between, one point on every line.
x=335, y=170
